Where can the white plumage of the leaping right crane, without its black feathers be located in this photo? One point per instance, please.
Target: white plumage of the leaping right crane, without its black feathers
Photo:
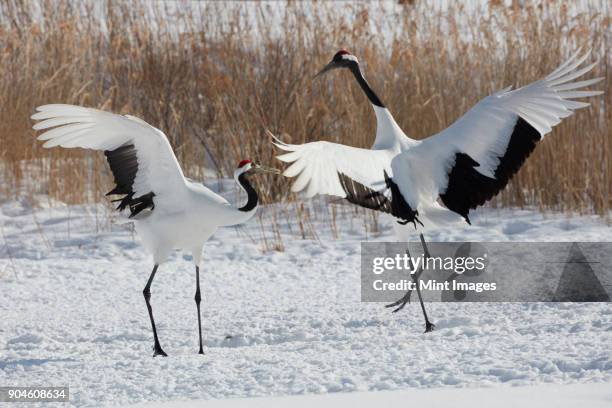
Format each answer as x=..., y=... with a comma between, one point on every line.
x=421, y=167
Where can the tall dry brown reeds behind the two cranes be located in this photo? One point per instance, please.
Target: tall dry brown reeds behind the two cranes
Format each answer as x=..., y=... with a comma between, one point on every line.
x=213, y=75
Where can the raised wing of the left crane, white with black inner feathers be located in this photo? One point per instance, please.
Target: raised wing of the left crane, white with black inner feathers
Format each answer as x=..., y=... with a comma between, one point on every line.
x=144, y=166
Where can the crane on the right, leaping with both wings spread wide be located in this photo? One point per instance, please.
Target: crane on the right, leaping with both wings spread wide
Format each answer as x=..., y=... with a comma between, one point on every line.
x=438, y=180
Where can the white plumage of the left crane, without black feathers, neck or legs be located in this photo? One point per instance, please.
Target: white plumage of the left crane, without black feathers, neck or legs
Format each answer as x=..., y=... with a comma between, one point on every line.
x=186, y=213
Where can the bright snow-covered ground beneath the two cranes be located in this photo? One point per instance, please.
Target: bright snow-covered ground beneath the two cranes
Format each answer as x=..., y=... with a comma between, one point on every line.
x=72, y=313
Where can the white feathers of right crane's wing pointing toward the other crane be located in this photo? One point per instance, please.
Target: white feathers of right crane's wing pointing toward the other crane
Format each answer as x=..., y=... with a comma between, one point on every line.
x=317, y=165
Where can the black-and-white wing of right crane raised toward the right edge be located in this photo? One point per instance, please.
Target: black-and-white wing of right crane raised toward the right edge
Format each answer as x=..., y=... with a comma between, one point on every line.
x=469, y=162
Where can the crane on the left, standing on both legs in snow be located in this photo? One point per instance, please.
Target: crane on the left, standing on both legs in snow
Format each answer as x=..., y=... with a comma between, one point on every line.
x=169, y=211
